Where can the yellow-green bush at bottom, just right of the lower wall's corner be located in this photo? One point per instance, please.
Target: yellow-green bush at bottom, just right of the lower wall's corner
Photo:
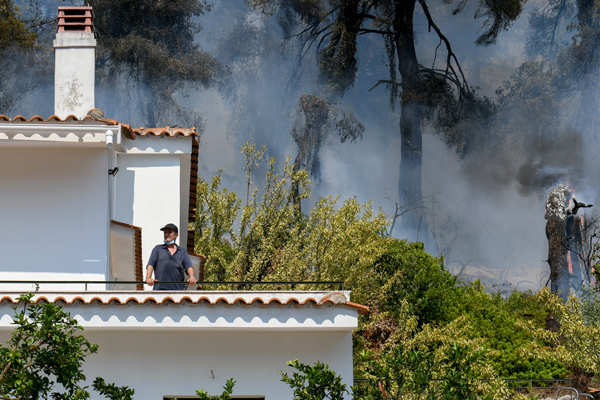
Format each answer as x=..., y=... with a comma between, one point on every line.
x=427, y=362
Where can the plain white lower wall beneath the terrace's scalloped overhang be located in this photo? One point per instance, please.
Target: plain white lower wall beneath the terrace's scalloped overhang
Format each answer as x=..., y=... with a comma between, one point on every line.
x=178, y=363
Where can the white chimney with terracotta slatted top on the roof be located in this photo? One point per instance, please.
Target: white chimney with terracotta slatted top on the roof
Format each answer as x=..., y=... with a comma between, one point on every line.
x=74, y=62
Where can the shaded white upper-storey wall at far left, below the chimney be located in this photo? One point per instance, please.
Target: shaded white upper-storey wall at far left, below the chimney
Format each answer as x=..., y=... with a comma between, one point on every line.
x=54, y=213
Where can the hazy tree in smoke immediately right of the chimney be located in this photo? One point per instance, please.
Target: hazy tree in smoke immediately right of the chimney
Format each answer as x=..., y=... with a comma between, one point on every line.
x=153, y=42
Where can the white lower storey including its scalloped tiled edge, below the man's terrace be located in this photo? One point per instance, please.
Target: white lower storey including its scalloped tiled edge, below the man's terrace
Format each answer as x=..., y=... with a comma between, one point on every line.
x=200, y=339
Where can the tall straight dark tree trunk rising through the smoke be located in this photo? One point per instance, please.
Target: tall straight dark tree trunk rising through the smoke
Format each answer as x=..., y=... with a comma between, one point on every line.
x=411, y=117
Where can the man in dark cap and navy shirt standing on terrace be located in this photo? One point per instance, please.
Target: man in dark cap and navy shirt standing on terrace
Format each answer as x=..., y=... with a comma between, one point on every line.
x=168, y=261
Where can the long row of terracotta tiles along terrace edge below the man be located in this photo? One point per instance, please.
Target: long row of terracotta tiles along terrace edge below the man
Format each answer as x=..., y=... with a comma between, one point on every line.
x=334, y=298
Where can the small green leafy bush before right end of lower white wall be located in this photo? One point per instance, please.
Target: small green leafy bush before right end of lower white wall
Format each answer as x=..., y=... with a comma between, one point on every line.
x=314, y=382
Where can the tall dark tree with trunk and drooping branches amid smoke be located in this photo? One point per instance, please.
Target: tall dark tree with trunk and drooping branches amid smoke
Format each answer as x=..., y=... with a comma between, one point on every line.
x=336, y=26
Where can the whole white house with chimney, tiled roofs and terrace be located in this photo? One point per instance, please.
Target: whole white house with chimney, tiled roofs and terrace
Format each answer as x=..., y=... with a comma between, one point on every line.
x=82, y=198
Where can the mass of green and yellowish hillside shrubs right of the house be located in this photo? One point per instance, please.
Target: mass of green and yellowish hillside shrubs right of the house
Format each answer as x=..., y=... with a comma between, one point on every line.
x=427, y=334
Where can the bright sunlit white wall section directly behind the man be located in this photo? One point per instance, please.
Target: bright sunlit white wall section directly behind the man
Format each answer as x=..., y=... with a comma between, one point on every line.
x=148, y=195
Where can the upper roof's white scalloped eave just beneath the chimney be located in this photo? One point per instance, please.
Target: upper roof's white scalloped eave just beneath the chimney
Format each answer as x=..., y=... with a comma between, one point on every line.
x=60, y=134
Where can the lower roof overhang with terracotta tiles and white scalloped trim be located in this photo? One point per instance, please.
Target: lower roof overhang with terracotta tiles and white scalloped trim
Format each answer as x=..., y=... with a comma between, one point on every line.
x=200, y=310
